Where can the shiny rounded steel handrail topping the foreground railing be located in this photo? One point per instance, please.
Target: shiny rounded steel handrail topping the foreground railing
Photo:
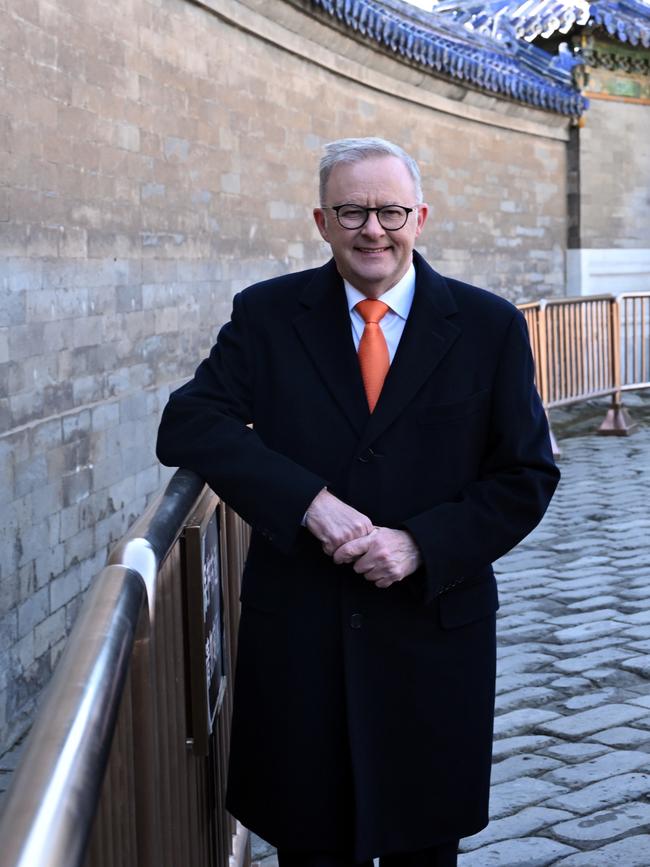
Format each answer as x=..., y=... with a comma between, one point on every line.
x=52, y=801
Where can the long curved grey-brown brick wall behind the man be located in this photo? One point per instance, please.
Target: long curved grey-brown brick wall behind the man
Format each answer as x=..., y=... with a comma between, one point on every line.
x=154, y=159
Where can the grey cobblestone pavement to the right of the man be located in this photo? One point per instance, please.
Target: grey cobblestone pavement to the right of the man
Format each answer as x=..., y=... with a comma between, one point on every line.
x=571, y=776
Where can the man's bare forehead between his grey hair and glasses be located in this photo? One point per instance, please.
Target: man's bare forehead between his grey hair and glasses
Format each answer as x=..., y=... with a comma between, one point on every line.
x=375, y=179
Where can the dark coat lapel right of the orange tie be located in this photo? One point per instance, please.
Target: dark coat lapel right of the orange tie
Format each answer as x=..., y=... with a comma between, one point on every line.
x=428, y=336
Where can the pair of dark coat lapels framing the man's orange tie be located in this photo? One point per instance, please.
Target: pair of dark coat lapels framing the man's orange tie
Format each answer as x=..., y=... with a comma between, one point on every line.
x=324, y=328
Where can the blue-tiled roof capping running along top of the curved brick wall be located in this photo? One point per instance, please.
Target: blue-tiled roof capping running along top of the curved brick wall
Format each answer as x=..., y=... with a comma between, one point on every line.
x=504, y=66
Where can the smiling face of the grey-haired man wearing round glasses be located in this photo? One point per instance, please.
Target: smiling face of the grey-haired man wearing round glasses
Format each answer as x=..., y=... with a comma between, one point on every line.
x=371, y=258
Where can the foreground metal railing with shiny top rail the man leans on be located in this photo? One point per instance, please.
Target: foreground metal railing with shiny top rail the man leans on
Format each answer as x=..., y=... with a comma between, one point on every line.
x=122, y=767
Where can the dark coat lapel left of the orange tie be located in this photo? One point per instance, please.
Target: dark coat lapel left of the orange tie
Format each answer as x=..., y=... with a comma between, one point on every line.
x=325, y=331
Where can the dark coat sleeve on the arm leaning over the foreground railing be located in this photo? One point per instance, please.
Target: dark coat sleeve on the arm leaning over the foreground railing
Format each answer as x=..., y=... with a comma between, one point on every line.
x=204, y=428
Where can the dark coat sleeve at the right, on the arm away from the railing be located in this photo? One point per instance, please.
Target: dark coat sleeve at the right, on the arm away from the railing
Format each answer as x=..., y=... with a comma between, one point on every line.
x=516, y=482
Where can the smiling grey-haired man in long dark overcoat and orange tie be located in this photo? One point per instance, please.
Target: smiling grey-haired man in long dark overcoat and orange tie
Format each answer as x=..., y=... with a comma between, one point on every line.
x=364, y=692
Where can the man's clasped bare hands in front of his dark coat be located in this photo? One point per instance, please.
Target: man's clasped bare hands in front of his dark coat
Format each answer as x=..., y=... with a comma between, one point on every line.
x=380, y=554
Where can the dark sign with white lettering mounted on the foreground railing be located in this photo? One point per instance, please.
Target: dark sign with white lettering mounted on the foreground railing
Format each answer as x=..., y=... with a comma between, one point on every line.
x=205, y=622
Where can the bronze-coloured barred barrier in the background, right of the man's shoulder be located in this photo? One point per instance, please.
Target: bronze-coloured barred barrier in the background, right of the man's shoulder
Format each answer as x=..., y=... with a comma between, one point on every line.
x=591, y=347
